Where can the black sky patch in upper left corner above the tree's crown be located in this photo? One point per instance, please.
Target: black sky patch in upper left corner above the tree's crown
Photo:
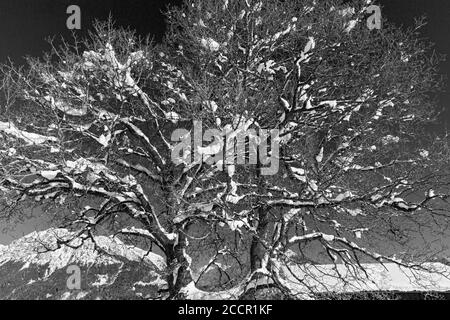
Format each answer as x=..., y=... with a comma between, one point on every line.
x=25, y=24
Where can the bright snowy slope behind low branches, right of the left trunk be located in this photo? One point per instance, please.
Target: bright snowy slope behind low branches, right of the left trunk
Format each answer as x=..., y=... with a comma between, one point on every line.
x=309, y=281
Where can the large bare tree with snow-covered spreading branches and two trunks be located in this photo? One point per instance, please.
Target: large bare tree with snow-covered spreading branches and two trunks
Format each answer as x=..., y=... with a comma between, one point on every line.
x=105, y=127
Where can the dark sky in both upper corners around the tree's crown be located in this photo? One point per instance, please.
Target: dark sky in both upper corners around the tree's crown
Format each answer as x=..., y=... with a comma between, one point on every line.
x=25, y=24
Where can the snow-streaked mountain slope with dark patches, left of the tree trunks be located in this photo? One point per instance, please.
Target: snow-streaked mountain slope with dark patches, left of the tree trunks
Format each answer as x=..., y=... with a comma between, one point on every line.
x=29, y=271
